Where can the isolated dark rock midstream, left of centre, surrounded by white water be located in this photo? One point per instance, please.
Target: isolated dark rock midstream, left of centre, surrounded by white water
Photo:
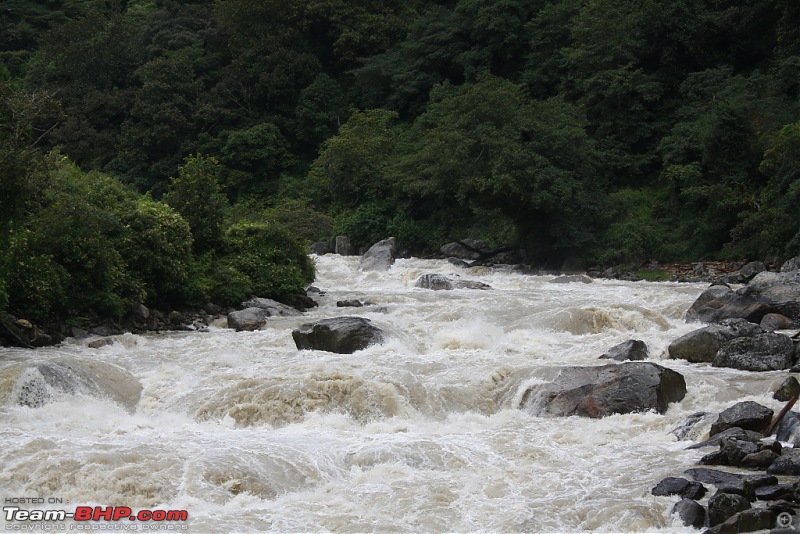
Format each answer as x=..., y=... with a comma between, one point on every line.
x=342, y=335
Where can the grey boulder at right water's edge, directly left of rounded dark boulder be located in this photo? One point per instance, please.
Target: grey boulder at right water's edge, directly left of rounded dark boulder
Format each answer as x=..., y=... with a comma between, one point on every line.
x=702, y=345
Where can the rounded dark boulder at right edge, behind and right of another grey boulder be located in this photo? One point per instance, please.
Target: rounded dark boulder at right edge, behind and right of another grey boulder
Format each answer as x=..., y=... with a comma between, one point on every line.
x=764, y=352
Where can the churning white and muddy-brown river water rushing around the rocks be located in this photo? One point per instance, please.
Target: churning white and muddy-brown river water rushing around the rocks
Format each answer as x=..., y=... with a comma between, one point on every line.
x=420, y=434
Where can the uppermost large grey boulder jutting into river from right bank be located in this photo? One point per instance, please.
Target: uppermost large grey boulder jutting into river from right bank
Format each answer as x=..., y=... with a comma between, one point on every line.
x=721, y=302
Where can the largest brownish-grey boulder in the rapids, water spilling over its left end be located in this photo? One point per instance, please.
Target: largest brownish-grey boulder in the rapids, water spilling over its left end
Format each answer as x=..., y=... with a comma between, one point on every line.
x=604, y=390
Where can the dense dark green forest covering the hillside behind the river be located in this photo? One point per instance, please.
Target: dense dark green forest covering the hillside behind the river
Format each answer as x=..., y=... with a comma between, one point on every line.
x=173, y=153
